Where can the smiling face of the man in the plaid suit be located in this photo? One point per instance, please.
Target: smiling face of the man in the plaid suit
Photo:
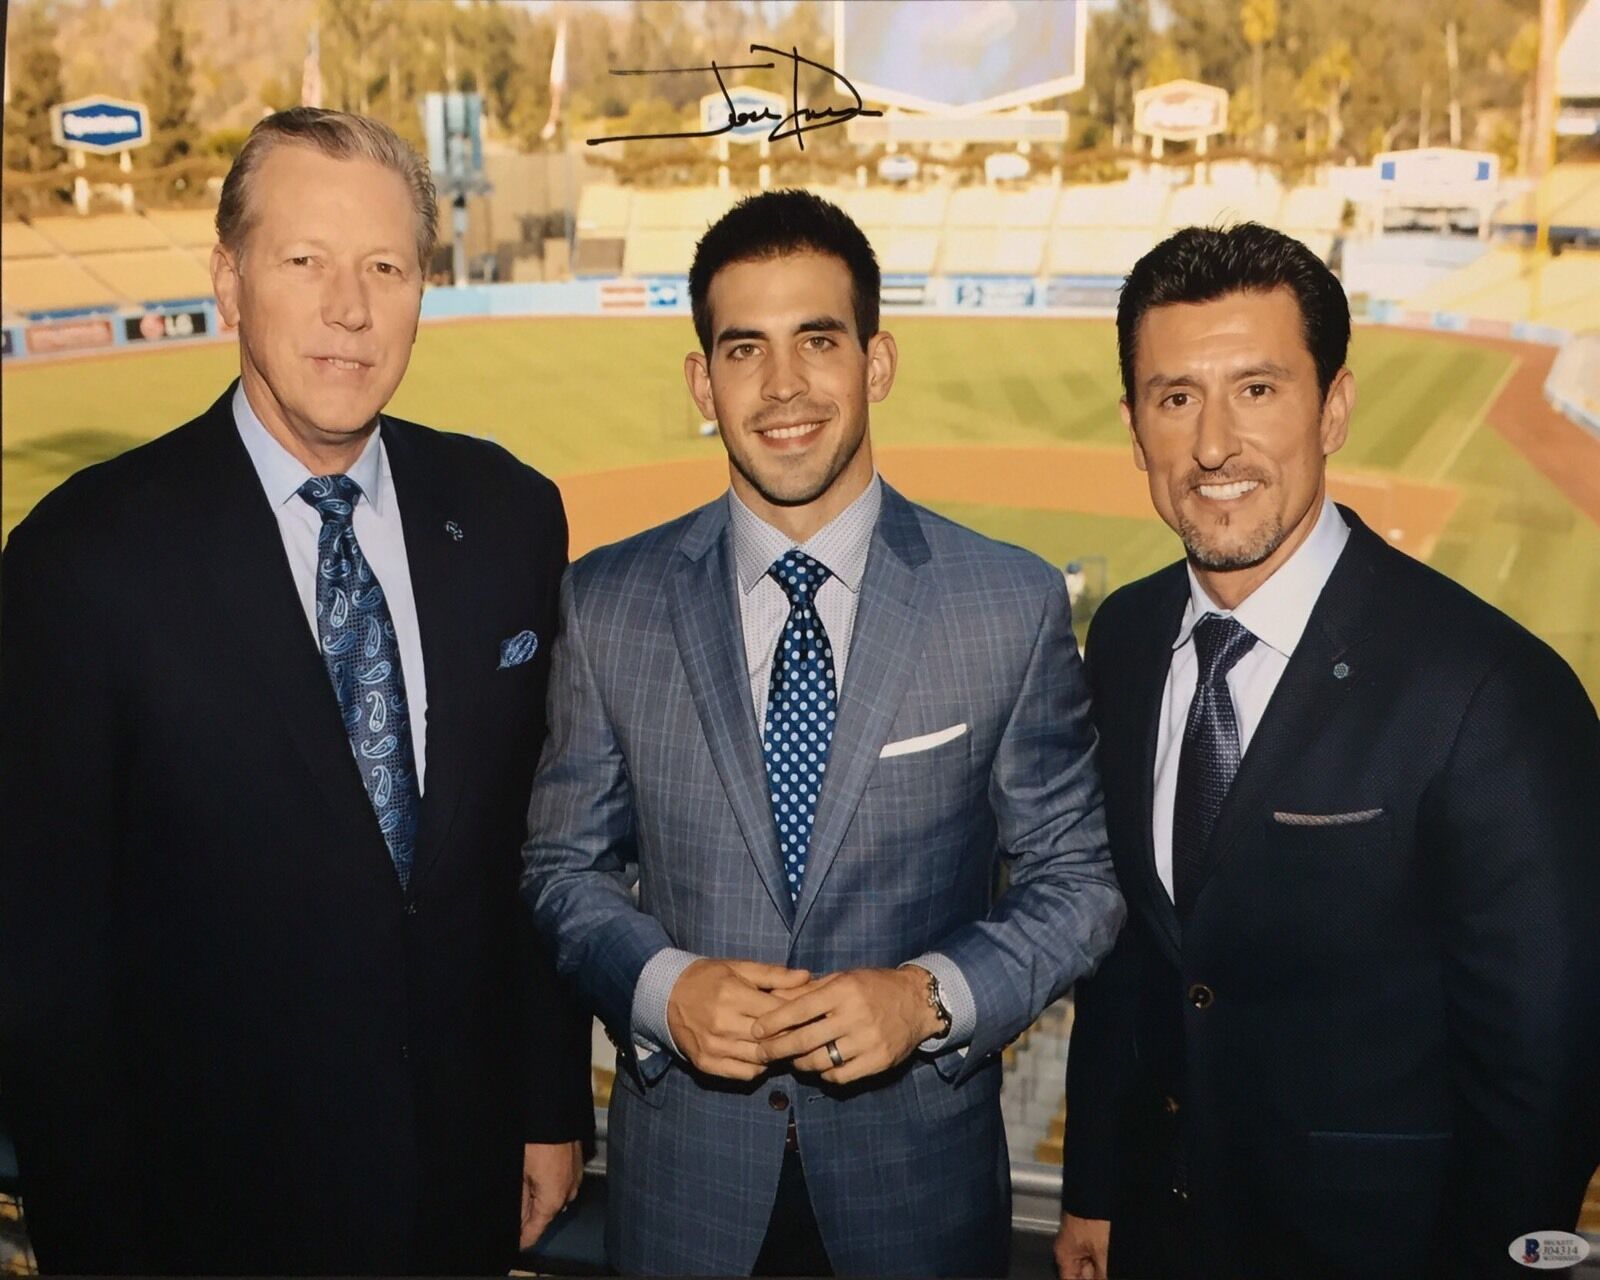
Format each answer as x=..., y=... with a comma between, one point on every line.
x=790, y=385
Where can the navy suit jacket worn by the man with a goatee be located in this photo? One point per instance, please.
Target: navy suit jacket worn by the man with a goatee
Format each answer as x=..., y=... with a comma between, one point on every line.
x=1372, y=1049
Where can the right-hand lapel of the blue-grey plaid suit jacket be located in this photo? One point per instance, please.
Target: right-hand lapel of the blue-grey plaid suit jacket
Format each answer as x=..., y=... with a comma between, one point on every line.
x=886, y=649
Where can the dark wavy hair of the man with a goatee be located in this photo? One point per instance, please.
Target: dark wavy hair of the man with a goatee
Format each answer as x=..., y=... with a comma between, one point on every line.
x=1201, y=265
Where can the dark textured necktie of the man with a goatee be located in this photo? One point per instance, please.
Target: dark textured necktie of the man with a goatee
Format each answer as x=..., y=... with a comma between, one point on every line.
x=1210, y=754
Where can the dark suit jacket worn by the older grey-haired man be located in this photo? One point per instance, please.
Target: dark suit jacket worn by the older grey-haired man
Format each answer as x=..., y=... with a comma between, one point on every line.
x=228, y=1041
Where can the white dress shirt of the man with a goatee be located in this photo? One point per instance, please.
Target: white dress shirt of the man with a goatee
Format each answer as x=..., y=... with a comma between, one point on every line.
x=1276, y=614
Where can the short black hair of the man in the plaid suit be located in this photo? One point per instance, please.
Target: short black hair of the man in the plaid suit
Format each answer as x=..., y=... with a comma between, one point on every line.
x=775, y=225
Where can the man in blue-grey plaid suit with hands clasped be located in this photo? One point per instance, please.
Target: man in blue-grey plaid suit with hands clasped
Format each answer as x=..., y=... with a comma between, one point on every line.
x=814, y=722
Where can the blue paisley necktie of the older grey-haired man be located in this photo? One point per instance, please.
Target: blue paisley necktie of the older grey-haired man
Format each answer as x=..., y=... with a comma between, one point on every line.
x=358, y=641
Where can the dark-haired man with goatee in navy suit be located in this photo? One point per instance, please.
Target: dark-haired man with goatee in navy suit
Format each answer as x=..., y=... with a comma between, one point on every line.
x=1350, y=1030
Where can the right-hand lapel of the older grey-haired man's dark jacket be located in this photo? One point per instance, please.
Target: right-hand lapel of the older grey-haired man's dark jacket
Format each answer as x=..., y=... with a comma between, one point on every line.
x=434, y=561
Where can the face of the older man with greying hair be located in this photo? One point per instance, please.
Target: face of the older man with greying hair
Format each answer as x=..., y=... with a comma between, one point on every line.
x=326, y=295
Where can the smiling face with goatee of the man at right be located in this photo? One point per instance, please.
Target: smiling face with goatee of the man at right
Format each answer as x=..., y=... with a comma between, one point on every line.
x=1234, y=434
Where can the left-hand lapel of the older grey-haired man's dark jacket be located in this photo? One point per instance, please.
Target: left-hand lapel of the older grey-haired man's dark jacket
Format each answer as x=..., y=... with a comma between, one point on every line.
x=236, y=543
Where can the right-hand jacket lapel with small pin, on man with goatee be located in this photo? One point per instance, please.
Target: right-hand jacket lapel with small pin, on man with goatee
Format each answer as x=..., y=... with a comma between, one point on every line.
x=1306, y=698
